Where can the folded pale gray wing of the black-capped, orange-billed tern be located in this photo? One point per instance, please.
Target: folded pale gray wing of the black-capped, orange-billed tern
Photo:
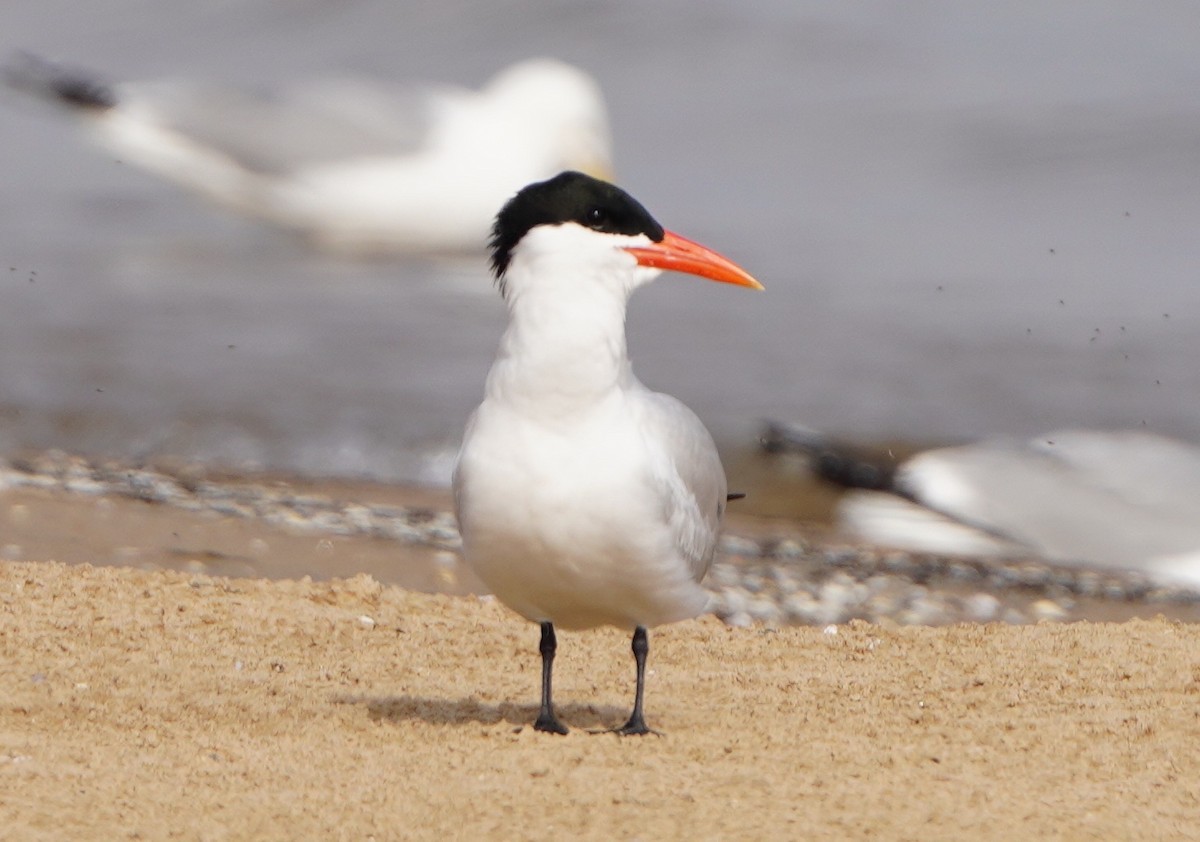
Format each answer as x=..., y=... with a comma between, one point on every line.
x=692, y=478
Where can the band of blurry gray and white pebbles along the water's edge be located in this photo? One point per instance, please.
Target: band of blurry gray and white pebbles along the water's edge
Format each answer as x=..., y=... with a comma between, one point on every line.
x=778, y=581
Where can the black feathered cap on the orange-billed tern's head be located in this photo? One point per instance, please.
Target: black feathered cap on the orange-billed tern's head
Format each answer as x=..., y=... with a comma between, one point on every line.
x=568, y=197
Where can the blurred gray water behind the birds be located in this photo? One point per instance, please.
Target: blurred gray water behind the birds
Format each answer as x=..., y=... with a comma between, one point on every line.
x=969, y=222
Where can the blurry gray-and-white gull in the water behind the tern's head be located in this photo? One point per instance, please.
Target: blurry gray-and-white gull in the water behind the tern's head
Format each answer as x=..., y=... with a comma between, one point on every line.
x=357, y=167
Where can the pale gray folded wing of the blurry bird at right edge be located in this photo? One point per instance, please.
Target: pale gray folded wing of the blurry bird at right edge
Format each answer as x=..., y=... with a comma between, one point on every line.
x=1081, y=496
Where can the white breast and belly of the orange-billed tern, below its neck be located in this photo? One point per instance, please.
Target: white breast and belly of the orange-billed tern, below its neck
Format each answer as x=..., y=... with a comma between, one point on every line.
x=573, y=527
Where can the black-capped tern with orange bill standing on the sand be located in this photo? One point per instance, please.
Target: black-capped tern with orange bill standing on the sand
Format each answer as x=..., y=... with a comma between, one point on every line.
x=585, y=498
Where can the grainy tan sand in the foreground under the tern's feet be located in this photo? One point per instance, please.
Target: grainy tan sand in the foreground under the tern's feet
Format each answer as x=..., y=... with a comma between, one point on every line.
x=165, y=705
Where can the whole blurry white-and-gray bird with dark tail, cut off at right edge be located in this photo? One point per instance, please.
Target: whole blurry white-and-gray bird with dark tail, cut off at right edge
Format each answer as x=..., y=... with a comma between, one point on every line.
x=1111, y=500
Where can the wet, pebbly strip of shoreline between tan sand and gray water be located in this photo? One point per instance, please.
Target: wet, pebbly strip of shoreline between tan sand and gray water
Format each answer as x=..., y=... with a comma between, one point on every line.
x=770, y=570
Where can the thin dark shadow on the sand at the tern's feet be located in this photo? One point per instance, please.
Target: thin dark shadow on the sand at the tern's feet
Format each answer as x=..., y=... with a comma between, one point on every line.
x=470, y=711
